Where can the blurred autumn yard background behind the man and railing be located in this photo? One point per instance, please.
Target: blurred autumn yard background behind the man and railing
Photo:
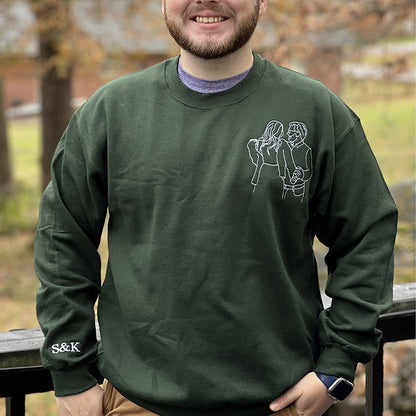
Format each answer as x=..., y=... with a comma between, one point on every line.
x=55, y=53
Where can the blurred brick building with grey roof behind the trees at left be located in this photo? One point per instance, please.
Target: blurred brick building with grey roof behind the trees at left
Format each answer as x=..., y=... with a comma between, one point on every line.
x=126, y=42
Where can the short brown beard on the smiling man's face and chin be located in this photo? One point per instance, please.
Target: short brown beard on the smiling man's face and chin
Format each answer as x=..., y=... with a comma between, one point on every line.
x=213, y=50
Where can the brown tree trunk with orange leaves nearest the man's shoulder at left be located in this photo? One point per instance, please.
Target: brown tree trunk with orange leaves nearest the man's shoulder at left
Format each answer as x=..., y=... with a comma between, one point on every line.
x=62, y=45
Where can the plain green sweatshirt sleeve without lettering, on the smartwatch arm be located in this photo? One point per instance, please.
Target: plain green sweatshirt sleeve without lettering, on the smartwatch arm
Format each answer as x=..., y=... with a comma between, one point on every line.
x=356, y=219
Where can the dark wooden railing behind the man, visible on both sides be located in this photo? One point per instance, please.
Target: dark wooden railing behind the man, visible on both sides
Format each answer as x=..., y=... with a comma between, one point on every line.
x=21, y=372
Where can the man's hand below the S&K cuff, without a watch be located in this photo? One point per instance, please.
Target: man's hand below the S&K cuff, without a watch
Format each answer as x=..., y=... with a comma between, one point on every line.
x=87, y=403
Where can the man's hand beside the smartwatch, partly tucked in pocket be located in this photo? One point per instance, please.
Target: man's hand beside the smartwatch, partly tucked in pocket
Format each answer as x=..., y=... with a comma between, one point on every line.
x=309, y=395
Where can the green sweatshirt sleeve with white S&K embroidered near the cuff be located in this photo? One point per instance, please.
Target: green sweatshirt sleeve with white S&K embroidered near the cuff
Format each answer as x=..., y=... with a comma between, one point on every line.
x=72, y=213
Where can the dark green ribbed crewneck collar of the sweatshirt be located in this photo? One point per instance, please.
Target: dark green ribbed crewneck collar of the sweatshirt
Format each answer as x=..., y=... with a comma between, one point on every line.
x=211, y=100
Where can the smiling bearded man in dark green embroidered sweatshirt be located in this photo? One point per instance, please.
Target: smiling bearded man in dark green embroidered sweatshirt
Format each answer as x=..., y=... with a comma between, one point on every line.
x=211, y=304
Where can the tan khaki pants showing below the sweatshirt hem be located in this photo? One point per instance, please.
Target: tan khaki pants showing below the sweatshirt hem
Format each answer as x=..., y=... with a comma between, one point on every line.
x=117, y=405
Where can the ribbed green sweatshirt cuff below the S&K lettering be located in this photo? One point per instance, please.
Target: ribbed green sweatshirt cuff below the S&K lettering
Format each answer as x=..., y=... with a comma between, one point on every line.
x=72, y=380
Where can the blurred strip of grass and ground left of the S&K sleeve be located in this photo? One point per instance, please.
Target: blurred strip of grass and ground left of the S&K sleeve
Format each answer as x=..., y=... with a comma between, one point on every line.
x=18, y=217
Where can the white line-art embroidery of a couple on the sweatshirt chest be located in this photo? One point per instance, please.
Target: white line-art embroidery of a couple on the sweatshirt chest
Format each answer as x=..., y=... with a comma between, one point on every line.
x=291, y=155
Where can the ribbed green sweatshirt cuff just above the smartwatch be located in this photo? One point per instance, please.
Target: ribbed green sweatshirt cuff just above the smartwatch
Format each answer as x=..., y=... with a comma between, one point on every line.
x=338, y=362
